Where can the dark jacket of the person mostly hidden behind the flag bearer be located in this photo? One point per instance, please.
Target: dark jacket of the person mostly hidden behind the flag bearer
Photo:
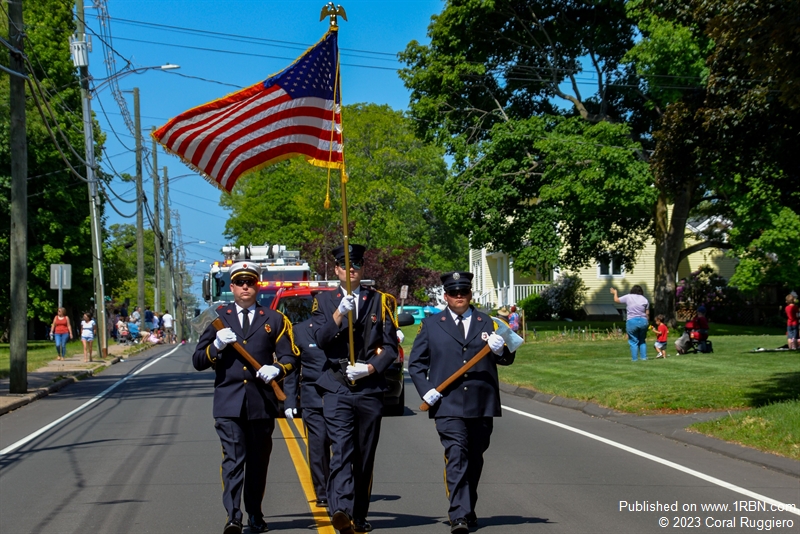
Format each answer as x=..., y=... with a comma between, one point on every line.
x=313, y=363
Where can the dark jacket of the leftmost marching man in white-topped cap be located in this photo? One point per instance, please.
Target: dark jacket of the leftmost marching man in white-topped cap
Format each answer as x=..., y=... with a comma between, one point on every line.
x=269, y=338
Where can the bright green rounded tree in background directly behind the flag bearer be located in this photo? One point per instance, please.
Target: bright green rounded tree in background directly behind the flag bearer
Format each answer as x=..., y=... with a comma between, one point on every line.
x=395, y=194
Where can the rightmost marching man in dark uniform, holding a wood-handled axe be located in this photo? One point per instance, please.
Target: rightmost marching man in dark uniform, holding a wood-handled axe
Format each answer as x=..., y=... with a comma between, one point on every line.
x=463, y=413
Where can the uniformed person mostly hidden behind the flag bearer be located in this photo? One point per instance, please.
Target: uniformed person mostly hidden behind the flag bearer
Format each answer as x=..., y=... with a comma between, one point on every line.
x=313, y=363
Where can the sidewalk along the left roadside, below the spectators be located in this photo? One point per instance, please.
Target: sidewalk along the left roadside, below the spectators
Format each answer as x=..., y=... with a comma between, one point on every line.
x=54, y=376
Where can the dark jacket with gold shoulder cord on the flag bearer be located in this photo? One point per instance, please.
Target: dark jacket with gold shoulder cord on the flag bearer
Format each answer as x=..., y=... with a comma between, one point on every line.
x=374, y=337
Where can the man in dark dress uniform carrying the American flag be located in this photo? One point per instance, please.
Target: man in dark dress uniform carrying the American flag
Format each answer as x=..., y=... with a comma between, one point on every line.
x=353, y=394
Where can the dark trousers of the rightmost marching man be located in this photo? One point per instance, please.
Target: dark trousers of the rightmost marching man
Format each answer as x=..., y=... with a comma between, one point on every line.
x=464, y=440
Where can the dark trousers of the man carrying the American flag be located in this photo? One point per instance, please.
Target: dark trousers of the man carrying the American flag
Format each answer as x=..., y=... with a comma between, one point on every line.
x=354, y=426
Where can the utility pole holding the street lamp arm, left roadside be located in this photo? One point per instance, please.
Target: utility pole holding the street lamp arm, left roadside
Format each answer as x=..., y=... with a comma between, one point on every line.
x=80, y=57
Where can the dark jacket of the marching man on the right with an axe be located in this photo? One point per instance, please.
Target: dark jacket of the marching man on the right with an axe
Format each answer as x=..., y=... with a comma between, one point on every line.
x=439, y=351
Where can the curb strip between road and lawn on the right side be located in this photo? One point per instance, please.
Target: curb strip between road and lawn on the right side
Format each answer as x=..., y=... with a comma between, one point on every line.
x=676, y=432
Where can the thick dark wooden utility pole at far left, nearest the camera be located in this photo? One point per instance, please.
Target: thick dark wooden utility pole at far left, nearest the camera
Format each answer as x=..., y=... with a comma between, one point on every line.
x=18, y=372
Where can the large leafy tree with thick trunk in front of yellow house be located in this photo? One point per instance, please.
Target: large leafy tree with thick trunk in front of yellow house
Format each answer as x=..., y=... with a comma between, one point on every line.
x=505, y=85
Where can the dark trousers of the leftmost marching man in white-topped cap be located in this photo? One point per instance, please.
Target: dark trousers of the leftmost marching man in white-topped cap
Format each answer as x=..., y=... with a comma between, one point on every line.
x=246, y=448
